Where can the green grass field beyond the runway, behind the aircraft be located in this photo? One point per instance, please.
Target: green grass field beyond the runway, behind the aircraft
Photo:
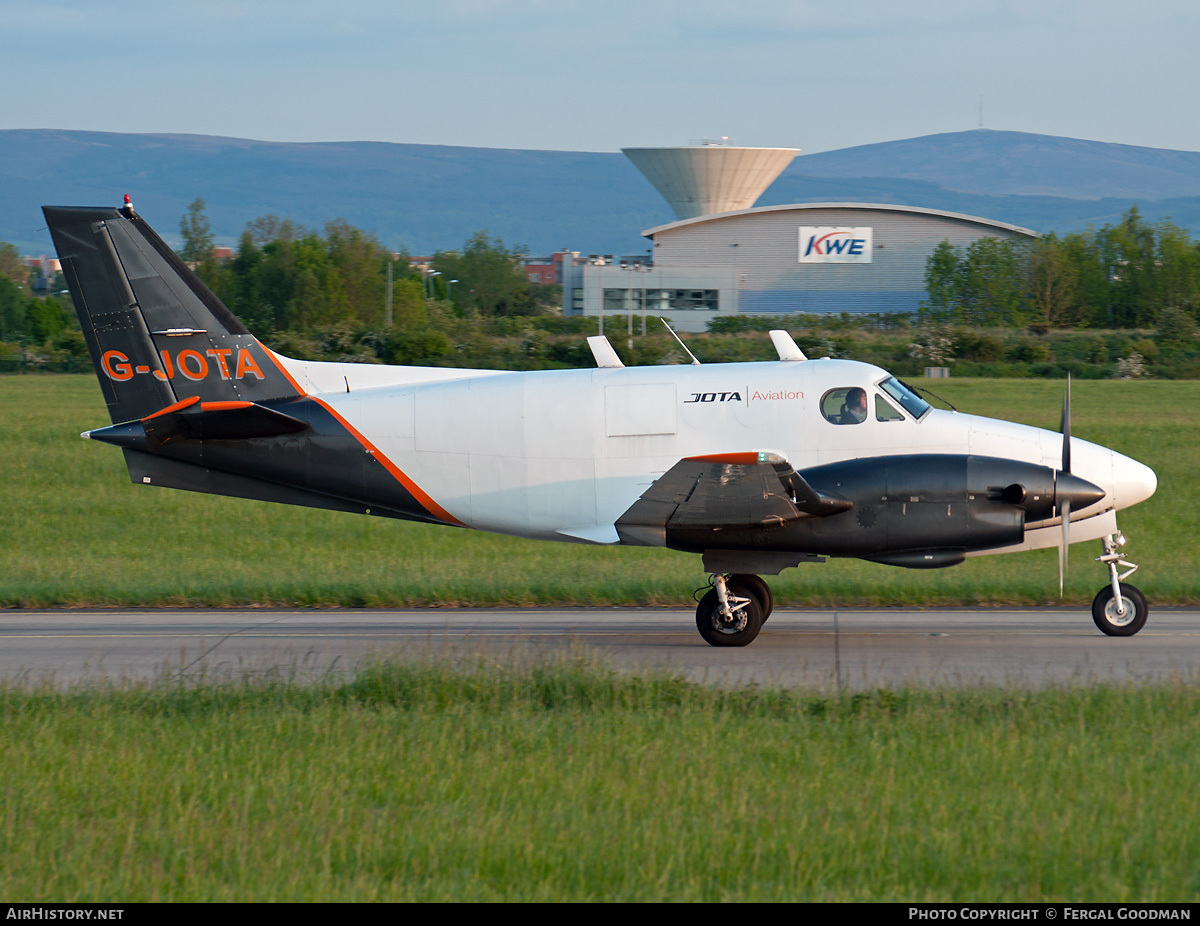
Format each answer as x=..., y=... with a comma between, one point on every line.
x=80, y=534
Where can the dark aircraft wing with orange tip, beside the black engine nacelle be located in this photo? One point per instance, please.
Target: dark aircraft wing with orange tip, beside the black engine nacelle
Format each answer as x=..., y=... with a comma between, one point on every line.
x=724, y=492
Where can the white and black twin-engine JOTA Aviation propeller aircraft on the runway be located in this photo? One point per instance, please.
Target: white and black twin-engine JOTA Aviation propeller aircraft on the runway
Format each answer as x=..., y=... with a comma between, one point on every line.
x=755, y=467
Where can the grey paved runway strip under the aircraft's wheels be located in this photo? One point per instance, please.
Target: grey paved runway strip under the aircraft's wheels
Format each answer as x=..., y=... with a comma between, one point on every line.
x=819, y=650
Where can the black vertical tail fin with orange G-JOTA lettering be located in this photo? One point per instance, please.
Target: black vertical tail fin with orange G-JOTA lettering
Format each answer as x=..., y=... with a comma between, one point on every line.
x=157, y=334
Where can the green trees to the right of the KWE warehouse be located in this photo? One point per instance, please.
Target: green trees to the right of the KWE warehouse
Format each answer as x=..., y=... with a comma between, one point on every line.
x=1130, y=275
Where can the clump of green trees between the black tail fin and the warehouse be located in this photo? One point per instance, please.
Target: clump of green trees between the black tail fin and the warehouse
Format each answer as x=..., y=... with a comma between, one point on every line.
x=325, y=294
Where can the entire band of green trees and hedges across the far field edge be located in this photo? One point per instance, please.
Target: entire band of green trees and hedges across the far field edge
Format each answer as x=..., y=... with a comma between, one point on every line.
x=322, y=296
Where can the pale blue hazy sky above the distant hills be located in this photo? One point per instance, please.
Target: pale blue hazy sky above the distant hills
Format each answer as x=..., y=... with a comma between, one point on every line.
x=601, y=76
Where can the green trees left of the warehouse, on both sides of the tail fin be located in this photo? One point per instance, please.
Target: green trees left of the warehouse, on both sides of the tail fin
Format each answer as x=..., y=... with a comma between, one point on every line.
x=320, y=296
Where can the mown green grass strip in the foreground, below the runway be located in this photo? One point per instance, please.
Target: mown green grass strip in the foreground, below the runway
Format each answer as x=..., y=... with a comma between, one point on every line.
x=569, y=783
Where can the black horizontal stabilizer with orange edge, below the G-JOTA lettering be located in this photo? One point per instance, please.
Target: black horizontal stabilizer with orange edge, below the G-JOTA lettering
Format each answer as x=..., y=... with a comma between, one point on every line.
x=195, y=420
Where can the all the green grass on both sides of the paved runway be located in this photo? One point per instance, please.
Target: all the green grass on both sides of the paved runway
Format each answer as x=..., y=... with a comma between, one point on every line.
x=566, y=781
